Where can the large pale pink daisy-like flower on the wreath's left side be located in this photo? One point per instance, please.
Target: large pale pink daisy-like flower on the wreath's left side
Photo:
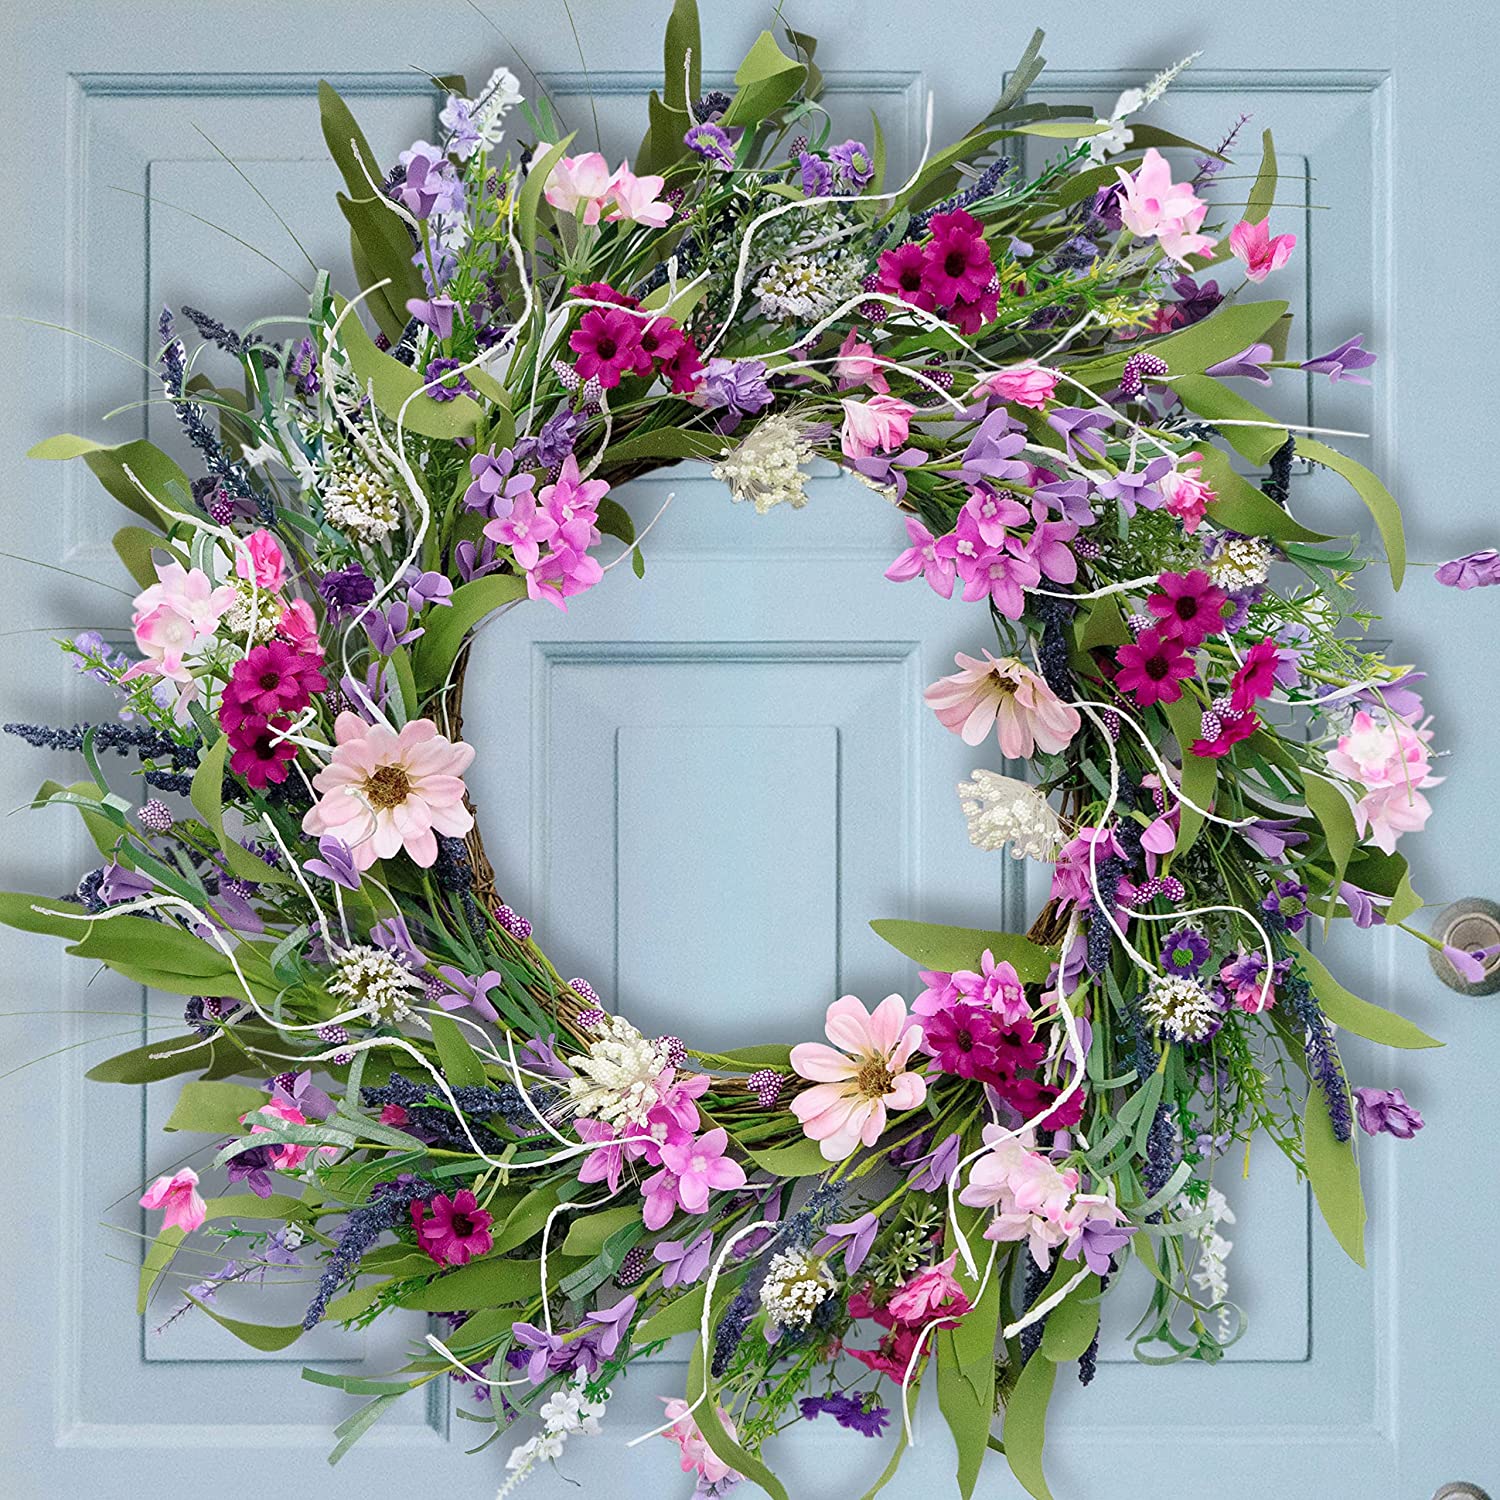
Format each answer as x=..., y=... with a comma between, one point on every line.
x=386, y=791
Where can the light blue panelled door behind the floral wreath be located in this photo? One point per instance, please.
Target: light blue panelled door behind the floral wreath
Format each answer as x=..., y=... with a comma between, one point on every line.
x=703, y=785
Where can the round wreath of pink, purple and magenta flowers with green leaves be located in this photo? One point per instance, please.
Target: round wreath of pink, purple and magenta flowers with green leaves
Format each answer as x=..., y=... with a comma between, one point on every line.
x=1039, y=374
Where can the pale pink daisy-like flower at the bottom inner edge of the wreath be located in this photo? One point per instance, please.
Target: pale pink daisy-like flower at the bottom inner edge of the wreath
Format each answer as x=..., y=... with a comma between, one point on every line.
x=857, y=1085
